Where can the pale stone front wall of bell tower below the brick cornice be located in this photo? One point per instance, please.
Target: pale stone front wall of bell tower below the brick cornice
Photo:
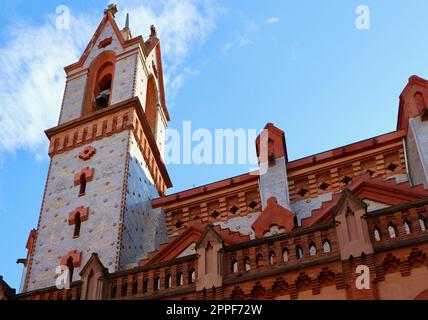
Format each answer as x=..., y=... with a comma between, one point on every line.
x=103, y=198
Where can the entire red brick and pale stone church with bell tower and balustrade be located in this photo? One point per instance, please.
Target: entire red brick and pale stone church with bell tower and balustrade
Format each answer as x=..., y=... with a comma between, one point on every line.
x=305, y=229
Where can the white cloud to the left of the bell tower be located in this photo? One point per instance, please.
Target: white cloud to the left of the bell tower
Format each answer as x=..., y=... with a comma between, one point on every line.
x=32, y=79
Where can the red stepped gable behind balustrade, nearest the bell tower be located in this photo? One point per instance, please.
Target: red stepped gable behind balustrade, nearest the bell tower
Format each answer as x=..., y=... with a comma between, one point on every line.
x=191, y=234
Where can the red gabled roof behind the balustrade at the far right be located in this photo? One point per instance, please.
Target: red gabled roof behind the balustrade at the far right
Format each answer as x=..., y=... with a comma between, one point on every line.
x=365, y=187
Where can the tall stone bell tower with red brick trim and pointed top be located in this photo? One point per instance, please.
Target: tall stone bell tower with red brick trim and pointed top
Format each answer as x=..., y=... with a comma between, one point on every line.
x=106, y=159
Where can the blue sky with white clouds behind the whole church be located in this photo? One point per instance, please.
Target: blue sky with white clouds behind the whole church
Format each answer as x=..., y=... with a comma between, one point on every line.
x=233, y=64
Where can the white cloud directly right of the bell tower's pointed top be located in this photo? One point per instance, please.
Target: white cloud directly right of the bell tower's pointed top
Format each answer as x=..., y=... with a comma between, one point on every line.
x=182, y=26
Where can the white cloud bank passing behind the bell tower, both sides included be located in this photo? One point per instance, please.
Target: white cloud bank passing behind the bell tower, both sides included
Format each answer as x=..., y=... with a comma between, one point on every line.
x=33, y=57
